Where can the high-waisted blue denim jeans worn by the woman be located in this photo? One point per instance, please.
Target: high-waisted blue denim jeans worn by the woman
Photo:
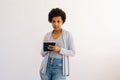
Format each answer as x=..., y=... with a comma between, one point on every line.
x=54, y=70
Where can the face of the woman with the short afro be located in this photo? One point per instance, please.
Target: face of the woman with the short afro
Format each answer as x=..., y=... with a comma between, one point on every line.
x=57, y=22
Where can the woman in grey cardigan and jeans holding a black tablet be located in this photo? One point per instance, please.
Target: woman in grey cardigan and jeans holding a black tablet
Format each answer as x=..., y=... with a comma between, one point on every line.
x=55, y=65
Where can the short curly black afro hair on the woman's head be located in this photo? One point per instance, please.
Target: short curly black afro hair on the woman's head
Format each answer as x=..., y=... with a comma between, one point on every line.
x=56, y=12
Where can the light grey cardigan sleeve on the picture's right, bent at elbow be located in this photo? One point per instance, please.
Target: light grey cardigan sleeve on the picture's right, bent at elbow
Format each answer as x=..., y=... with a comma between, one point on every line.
x=69, y=50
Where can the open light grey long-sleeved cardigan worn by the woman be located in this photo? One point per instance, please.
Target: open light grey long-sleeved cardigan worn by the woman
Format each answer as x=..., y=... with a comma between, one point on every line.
x=66, y=51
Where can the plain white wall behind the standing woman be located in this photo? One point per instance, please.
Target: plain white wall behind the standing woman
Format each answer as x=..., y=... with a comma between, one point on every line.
x=93, y=23
